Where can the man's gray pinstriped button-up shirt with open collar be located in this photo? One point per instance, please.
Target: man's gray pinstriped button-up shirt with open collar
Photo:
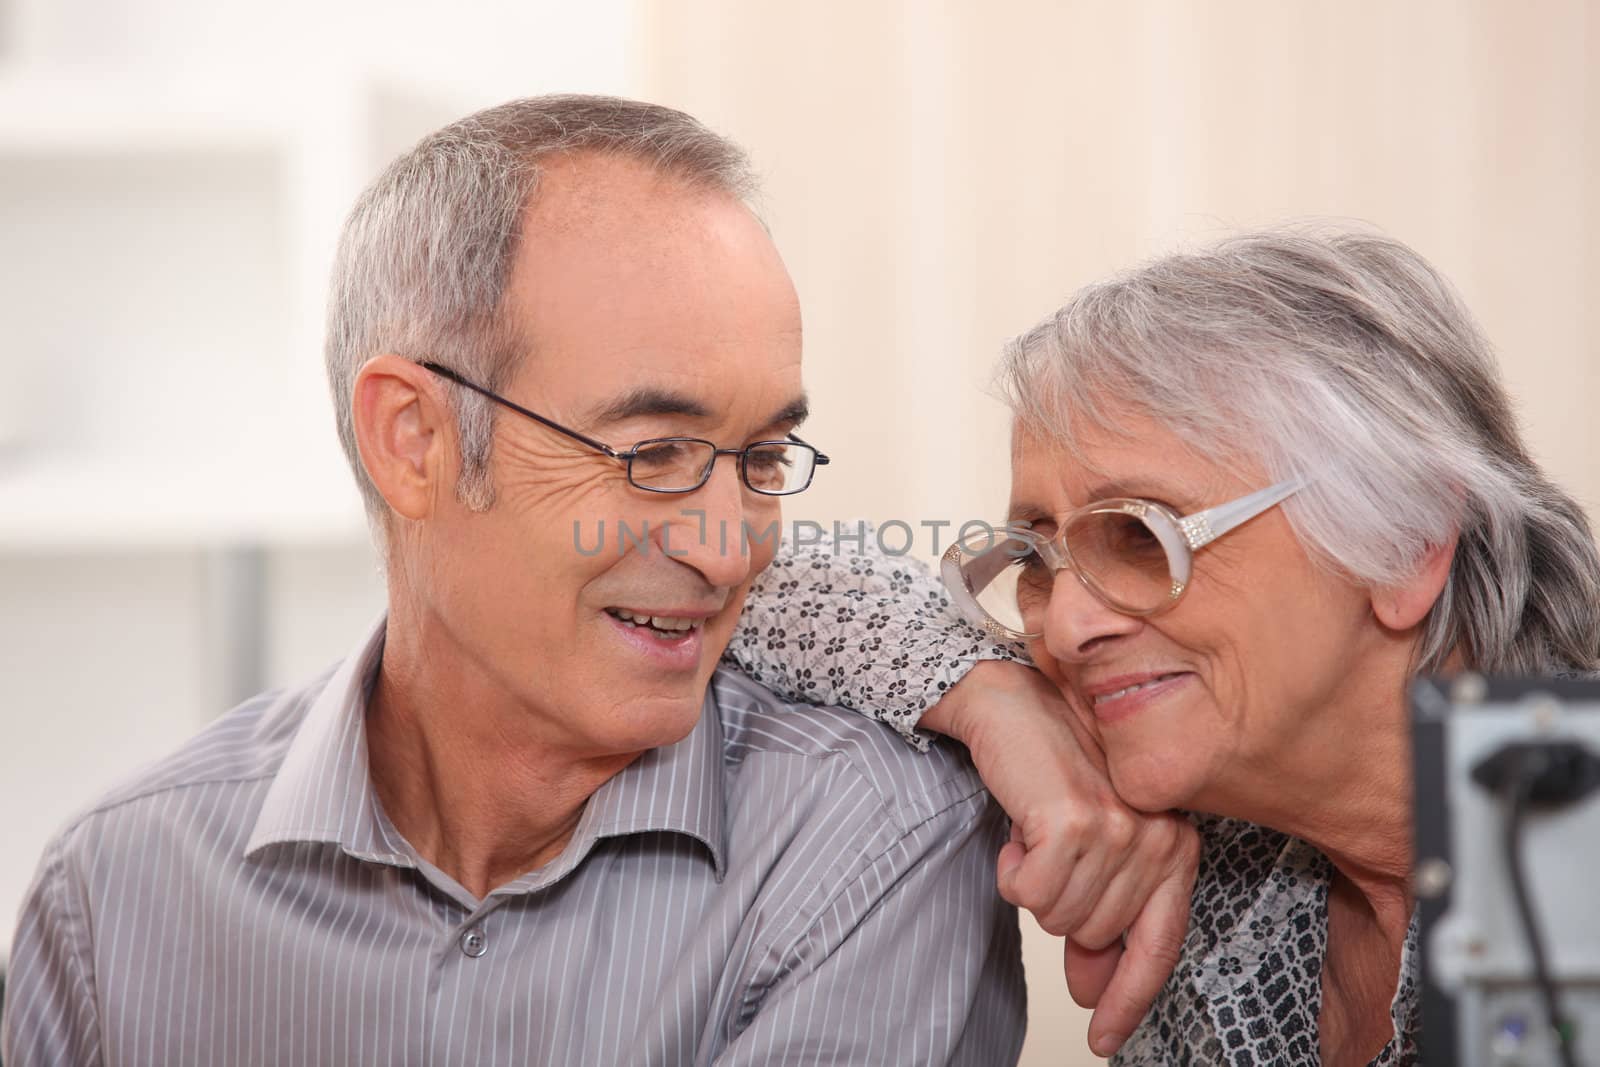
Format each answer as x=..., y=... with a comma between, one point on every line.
x=786, y=885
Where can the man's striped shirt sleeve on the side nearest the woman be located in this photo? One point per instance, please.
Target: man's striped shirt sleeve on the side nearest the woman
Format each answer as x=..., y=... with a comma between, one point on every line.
x=914, y=961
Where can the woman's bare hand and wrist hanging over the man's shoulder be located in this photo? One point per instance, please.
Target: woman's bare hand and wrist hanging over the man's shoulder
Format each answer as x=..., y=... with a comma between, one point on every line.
x=1113, y=881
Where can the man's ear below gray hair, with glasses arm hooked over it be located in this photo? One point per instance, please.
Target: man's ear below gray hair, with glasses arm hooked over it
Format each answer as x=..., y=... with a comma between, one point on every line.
x=401, y=433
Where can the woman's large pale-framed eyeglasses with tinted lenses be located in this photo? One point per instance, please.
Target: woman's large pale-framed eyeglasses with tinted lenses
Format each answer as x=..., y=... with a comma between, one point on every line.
x=1134, y=556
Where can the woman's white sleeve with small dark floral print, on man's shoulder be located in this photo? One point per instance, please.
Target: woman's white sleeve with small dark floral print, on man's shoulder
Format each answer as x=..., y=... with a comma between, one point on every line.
x=842, y=621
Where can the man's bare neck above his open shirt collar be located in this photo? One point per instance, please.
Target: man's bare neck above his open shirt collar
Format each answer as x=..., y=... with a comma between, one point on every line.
x=465, y=777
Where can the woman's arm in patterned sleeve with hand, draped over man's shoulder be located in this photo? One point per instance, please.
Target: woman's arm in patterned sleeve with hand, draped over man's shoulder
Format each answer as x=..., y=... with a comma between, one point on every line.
x=844, y=623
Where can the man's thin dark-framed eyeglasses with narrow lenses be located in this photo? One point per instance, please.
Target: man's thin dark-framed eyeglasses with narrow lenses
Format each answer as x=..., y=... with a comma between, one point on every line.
x=682, y=465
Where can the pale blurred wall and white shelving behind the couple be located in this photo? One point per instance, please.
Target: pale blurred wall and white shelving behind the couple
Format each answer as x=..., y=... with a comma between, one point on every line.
x=177, y=527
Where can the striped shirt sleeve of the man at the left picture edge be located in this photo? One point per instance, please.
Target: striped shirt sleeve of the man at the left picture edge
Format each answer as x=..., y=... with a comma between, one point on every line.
x=50, y=1013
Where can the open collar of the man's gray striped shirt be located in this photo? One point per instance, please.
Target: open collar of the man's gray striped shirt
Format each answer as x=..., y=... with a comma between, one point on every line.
x=324, y=793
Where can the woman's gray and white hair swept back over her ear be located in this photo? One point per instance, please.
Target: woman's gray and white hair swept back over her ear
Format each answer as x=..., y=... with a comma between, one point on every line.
x=1343, y=358
